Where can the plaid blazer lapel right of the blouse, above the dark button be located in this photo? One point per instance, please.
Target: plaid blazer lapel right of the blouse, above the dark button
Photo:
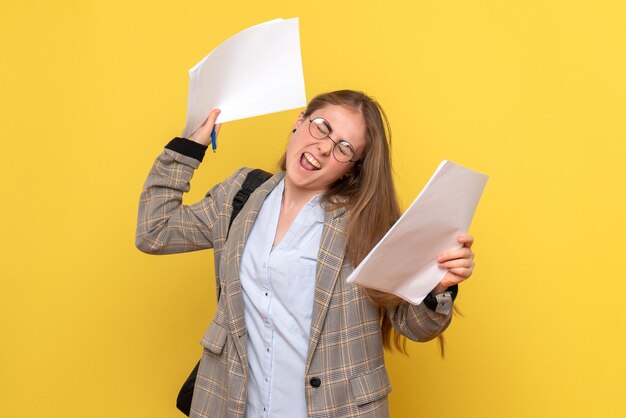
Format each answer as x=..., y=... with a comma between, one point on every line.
x=329, y=263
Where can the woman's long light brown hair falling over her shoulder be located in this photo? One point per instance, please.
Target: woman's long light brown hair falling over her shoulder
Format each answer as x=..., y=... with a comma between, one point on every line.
x=368, y=193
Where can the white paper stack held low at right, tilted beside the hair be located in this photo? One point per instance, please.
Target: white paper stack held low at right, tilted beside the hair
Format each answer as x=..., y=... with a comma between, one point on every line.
x=404, y=261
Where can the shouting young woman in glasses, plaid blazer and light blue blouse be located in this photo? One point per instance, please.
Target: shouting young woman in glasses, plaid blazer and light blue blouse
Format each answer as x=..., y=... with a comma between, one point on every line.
x=290, y=337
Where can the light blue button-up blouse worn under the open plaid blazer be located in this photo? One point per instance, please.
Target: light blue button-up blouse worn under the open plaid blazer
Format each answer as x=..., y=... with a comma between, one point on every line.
x=278, y=289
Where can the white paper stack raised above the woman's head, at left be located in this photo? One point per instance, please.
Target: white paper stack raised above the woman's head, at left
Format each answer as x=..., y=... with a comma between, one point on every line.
x=254, y=72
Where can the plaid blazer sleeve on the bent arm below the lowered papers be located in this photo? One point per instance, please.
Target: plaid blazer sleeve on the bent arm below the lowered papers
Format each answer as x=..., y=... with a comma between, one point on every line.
x=418, y=322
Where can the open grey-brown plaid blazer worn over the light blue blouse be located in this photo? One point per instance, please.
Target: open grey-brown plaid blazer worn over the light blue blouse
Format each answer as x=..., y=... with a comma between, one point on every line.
x=345, y=373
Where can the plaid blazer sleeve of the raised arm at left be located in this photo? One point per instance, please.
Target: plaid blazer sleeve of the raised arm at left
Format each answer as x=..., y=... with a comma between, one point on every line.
x=164, y=224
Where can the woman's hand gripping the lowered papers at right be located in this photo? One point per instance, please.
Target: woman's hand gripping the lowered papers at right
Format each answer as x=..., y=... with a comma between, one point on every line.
x=459, y=263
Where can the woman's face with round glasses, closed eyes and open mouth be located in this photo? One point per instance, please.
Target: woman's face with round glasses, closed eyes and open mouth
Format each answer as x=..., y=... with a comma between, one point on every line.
x=311, y=166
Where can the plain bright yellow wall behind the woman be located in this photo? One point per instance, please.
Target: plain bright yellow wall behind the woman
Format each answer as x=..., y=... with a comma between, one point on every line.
x=530, y=92
